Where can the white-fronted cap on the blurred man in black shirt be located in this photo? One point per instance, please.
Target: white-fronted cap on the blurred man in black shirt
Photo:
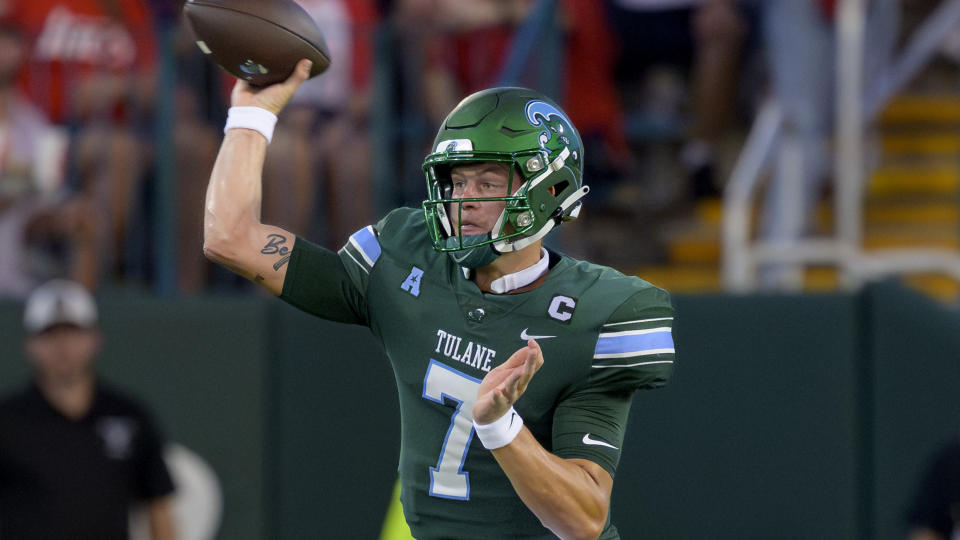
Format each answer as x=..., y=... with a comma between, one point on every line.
x=59, y=302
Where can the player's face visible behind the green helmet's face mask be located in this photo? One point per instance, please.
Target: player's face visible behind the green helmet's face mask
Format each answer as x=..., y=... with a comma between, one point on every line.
x=481, y=180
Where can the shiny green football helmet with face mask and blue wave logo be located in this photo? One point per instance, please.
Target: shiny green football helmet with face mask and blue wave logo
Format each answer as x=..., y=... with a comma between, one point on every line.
x=531, y=135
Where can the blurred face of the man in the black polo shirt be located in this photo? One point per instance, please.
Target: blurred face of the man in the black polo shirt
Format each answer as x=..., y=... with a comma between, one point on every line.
x=63, y=352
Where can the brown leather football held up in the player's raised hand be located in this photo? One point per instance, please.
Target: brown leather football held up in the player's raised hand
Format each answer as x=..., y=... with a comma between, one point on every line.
x=259, y=41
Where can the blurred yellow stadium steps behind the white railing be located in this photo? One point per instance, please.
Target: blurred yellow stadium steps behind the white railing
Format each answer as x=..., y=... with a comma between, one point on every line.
x=911, y=201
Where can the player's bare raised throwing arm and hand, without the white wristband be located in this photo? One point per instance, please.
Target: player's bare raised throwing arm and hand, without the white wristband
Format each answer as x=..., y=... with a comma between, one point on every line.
x=233, y=234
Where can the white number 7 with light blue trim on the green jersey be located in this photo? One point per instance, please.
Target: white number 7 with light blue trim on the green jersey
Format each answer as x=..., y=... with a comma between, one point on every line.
x=448, y=479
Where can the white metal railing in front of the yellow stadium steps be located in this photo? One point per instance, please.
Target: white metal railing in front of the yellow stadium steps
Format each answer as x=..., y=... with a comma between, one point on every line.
x=743, y=257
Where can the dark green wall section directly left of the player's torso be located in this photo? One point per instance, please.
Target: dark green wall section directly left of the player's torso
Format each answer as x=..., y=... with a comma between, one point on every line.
x=336, y=435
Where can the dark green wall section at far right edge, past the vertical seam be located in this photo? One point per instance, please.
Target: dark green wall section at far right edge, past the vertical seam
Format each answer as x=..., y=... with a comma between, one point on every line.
x=915, y=347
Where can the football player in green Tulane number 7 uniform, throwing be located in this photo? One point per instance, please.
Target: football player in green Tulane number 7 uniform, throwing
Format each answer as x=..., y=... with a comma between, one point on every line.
x=515, y=365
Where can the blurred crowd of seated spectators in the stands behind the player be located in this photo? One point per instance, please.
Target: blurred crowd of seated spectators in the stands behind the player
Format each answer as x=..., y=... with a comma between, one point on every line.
x=109, y=114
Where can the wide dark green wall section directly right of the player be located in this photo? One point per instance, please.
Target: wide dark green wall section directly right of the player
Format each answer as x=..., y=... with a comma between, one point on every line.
x=756, y=434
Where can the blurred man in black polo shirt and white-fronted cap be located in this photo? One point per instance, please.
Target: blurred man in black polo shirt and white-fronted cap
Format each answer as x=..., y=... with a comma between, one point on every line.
x=75, y=454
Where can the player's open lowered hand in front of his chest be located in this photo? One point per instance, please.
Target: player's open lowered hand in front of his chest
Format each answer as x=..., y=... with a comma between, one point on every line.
x=504, y=385
